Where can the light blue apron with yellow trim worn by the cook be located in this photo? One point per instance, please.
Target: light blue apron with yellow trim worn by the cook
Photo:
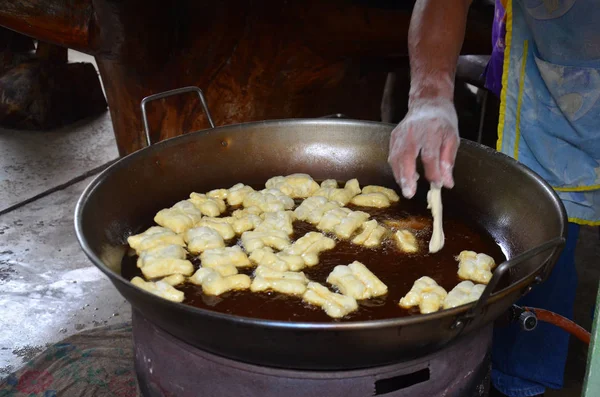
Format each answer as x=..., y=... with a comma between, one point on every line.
x=550, y=98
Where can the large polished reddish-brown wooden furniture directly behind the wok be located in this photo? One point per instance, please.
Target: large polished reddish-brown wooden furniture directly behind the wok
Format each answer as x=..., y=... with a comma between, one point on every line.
x=256, y=60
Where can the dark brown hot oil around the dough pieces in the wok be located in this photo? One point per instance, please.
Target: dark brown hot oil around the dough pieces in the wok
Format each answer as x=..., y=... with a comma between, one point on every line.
x=395, y=268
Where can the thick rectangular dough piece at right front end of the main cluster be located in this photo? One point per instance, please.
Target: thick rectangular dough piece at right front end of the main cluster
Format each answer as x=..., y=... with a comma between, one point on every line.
x=357, y=281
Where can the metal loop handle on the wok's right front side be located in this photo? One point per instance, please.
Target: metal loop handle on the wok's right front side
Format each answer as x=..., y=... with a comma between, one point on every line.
x=499, y=272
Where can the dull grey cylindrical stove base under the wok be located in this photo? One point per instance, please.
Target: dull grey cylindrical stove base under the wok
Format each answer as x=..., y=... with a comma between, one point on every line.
x=166, y=366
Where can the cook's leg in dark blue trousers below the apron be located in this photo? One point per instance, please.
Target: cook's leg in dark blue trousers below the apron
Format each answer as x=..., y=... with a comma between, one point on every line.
x=525, y=363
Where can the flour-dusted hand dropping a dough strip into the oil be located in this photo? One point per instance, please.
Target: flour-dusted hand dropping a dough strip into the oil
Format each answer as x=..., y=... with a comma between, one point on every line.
x=431, y=128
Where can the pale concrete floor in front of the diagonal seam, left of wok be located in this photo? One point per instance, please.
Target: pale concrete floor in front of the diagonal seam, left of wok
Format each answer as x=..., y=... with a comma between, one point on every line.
x=49, y=288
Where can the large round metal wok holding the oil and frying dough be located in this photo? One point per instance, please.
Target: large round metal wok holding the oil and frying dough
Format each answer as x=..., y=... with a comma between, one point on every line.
x=518, y=209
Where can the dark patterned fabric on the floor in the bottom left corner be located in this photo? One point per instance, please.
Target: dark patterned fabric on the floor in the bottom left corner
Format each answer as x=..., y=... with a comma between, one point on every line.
x=95, y=363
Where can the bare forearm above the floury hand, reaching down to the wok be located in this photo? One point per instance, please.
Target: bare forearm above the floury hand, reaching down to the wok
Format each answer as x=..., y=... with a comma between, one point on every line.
x=435, y=37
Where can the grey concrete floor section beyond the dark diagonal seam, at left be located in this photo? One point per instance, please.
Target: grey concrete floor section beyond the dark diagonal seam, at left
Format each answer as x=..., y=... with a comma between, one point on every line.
x=33, y=163
